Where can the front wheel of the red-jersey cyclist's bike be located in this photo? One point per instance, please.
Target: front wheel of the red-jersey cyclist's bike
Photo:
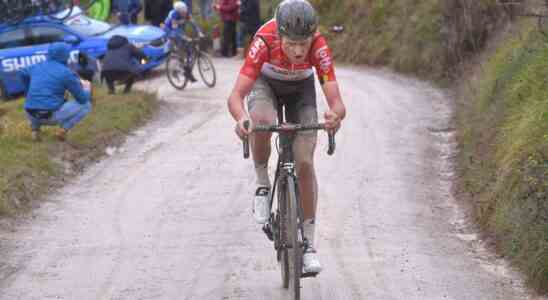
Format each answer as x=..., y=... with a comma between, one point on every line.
x=295, y=237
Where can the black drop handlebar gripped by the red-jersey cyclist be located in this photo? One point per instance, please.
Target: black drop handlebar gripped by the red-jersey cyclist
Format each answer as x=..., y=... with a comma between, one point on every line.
x=288, y=128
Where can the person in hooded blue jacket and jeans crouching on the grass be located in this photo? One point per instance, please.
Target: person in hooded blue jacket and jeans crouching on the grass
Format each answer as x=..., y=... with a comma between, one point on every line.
x=45, y=85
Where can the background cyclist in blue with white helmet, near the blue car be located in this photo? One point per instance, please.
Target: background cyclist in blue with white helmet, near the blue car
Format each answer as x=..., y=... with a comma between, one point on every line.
x=175, y=25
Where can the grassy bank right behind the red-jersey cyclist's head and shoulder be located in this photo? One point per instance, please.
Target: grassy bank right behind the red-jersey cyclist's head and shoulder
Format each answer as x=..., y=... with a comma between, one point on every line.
x=404, y=35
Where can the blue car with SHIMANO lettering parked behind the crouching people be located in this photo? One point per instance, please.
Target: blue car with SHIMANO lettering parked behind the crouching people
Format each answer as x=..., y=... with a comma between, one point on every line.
x=26, y=43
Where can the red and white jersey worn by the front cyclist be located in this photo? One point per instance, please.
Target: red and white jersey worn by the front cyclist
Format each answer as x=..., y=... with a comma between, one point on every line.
x=265, y=56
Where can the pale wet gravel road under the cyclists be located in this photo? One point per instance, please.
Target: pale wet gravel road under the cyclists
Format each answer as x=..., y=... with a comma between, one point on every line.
x=168, y=214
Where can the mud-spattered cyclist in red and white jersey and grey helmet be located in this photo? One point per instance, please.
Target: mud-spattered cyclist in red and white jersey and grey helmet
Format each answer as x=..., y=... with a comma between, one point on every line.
x=280, y=67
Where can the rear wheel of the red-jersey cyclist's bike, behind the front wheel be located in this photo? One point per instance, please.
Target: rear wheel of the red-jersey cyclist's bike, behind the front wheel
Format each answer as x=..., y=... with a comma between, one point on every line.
x=283, y=217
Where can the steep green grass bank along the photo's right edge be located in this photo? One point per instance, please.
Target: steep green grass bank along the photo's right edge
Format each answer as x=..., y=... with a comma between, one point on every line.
x=505, y=151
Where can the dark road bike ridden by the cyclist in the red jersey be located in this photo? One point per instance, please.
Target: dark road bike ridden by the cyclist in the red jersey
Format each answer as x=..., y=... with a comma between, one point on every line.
x=285, y=226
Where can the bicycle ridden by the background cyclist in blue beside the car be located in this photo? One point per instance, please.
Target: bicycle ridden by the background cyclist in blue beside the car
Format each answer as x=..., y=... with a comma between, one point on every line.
x=178, y=58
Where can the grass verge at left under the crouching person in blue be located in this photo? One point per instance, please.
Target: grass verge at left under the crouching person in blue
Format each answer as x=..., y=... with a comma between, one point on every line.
x=28, y=169
